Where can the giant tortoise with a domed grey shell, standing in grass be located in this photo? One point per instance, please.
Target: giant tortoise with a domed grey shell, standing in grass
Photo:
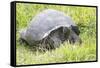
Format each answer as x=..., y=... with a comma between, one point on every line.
x=49, y=29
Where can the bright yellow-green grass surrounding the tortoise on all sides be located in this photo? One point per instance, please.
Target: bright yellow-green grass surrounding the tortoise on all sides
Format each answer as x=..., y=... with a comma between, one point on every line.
x=84, y=17
